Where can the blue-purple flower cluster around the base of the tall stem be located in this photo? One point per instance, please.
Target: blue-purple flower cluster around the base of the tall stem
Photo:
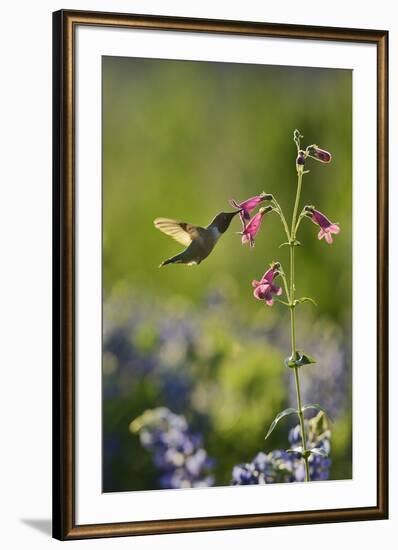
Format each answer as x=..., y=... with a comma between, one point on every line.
x=285, y=467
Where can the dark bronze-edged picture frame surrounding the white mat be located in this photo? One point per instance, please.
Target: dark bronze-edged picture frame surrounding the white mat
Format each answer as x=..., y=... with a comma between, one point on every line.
x=64, y=28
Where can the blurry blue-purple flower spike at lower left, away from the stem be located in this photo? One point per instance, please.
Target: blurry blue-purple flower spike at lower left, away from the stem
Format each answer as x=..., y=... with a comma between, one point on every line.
x=176, y=452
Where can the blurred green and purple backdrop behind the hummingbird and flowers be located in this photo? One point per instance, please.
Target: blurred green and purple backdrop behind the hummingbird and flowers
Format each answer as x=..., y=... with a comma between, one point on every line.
x=180, y=139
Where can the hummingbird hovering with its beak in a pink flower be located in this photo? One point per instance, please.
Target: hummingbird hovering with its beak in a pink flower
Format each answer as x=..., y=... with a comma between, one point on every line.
x=199, y=241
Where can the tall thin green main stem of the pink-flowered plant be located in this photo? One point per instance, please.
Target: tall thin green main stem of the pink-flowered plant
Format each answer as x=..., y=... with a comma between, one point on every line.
x=293, y=324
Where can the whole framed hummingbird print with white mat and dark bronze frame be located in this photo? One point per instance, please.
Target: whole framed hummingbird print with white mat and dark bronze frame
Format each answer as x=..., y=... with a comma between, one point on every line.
x=220, y=274
